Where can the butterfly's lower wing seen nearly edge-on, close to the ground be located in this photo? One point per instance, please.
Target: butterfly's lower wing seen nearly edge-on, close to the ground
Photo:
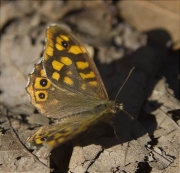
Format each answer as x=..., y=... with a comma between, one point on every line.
x=66, y=129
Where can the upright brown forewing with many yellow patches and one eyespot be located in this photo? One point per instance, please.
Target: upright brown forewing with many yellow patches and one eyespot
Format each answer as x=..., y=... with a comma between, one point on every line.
x=68, y=65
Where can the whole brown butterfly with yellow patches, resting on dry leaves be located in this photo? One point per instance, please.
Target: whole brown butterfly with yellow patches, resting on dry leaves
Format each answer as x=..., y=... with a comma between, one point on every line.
x=66, y=85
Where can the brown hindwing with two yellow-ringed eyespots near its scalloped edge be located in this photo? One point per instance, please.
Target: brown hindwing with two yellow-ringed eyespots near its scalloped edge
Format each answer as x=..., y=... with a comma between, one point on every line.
x=54, y=102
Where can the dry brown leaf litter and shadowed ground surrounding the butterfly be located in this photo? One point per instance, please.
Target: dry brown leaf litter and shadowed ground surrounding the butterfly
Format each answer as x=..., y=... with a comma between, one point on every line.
x=118, y=37
